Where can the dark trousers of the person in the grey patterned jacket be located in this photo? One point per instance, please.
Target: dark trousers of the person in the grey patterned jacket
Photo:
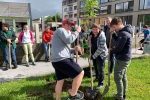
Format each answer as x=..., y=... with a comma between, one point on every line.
x=99, y=69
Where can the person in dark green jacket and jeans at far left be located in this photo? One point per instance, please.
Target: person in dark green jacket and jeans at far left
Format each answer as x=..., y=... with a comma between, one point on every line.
x=8, y=37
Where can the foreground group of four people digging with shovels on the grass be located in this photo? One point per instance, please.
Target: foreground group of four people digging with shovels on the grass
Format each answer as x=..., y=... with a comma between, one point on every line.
x=114, y=41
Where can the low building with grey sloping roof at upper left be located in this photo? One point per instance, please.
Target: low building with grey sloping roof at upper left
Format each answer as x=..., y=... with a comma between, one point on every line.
x=15, y=14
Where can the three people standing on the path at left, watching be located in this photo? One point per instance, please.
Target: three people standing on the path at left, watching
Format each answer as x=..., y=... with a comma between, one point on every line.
x=26, y=39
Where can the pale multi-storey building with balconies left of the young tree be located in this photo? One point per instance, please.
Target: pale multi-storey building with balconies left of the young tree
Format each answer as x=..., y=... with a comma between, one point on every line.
x=70, y=9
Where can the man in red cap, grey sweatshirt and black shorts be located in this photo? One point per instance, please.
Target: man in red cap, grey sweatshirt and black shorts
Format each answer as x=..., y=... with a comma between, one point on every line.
x=64, y=65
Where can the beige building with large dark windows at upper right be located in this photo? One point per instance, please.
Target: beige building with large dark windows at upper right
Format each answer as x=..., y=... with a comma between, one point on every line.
x=132, y=12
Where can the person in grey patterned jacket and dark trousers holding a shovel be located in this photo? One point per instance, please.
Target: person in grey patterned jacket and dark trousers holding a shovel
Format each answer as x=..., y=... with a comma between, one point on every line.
x=99, y=52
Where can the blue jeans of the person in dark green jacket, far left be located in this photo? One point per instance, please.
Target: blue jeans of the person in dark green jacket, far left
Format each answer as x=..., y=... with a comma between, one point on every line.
x=6, y=55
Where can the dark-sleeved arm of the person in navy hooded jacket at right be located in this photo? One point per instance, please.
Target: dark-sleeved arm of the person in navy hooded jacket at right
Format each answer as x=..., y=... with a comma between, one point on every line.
x=120, y=43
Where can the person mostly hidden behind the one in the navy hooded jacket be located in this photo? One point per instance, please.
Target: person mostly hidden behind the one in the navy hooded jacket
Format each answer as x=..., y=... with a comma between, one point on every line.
x=108, y=34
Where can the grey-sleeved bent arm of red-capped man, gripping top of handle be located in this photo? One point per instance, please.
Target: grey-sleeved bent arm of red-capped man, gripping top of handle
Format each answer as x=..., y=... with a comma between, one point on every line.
x=66, y=37
